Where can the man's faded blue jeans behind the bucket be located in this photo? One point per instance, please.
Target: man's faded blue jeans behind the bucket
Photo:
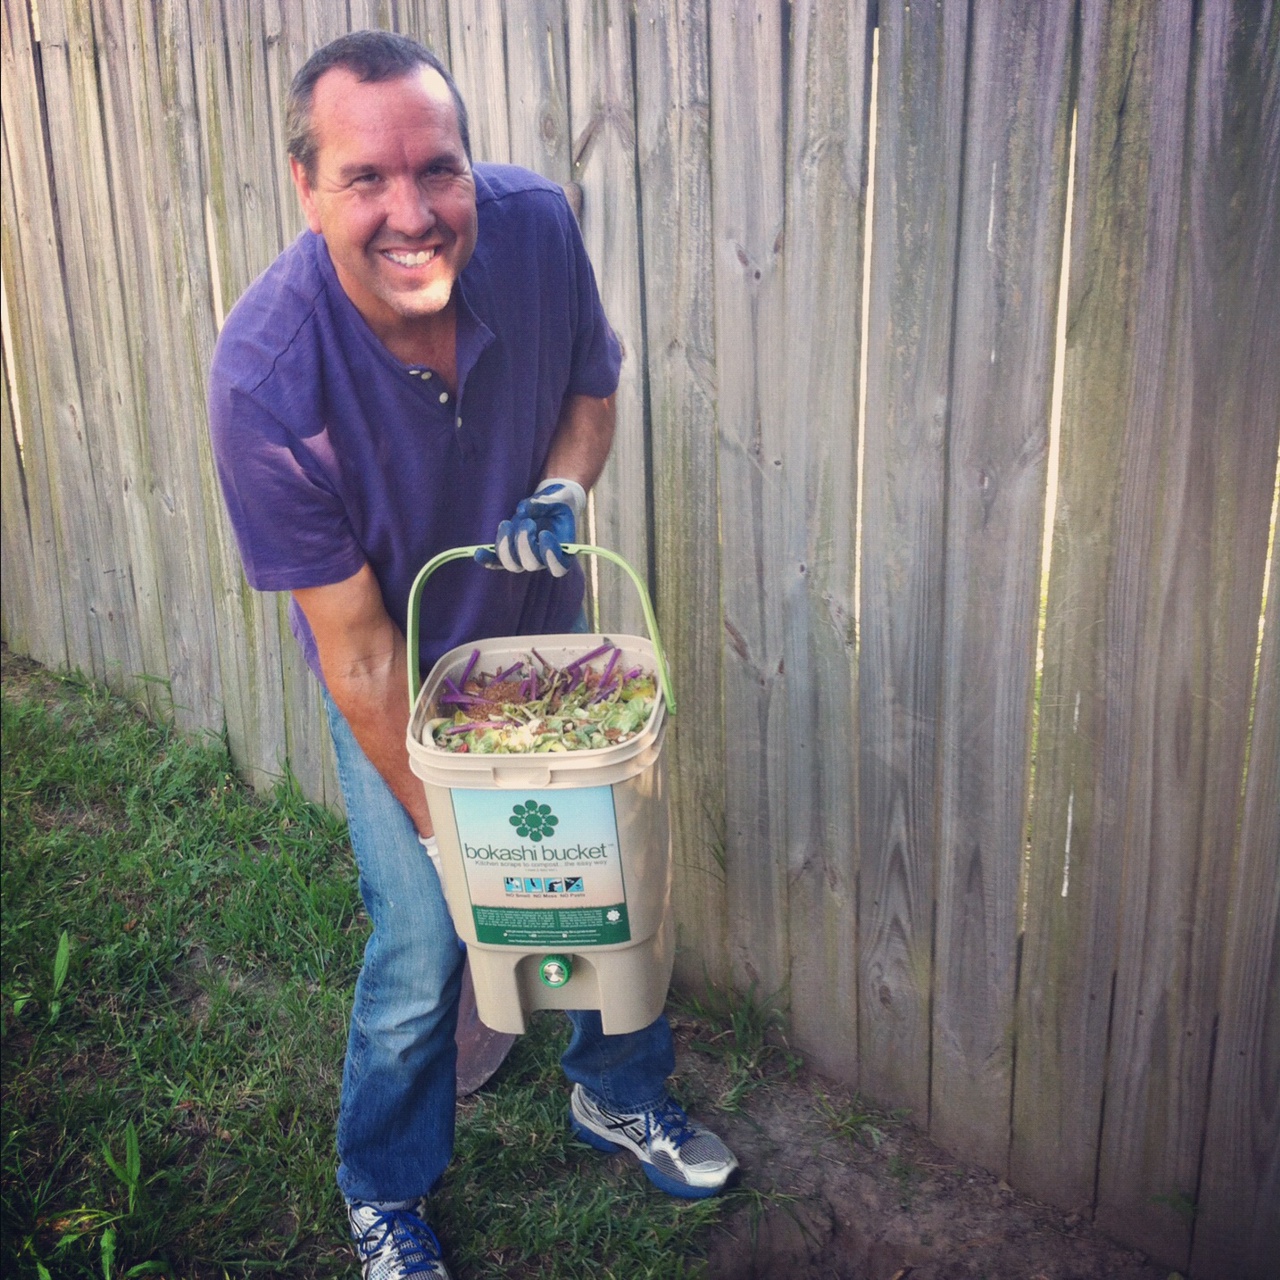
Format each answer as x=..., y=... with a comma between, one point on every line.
x=399, y=1091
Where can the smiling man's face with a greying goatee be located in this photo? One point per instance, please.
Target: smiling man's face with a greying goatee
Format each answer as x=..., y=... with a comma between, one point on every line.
x=392, y=194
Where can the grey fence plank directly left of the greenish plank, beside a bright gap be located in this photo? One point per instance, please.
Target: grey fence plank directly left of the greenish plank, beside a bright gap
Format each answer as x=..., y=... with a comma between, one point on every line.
x=1011, y=252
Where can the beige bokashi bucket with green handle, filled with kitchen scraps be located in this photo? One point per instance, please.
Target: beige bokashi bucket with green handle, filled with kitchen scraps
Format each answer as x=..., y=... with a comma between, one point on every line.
x=556, y=862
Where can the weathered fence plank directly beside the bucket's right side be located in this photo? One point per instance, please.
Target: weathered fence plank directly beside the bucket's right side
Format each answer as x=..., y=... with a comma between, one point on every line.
x=674, y=148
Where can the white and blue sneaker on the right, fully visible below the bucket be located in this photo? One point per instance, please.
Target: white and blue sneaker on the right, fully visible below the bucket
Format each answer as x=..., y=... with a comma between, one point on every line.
x=679, y=1155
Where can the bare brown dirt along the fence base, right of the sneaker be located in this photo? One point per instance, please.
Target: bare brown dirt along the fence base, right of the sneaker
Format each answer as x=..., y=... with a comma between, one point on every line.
x=821, y=1205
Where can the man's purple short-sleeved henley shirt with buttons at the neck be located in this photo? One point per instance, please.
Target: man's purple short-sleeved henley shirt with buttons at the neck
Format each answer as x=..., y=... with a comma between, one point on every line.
x=331, y=452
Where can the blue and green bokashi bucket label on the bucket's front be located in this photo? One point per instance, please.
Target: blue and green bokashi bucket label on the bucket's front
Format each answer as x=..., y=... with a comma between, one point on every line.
x=543, y=867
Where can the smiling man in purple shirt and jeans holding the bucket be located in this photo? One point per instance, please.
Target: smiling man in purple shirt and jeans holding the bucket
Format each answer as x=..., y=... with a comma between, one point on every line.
x=427, y=367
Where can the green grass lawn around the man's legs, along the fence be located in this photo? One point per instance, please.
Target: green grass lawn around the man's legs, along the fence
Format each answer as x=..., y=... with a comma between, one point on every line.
x=171, y=1071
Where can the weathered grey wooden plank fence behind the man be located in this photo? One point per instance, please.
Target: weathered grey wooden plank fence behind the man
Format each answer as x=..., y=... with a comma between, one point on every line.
x=1012, y=865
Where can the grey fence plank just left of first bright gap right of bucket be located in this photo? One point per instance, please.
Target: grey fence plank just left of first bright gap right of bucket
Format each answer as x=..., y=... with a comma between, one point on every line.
x=826, y=177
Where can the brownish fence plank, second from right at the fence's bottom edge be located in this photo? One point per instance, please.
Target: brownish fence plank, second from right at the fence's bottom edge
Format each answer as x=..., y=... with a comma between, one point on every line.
x=1199, y=476
